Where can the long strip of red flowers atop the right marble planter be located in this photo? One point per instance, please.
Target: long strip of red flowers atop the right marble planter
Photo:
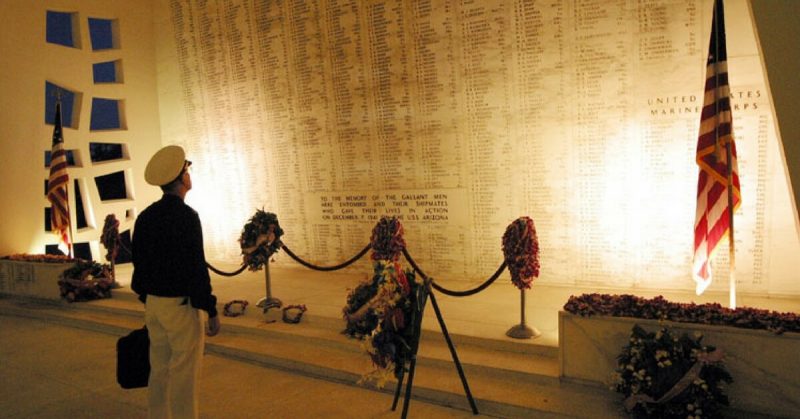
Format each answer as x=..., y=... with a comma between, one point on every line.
x=659, y=308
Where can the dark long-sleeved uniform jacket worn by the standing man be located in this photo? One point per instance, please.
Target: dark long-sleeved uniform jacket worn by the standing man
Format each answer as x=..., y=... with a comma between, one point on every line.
x=168, y=256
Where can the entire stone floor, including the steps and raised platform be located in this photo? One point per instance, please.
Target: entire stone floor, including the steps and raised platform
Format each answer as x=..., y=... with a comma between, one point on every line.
x=58, y=358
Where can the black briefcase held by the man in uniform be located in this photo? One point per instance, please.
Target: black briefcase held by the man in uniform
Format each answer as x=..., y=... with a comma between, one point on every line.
x=133, y=359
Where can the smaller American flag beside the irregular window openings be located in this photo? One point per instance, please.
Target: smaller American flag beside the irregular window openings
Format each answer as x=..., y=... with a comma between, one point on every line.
x=57, y=183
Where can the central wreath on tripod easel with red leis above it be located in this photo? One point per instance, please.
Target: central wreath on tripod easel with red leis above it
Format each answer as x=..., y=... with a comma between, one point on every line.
x=382, y=311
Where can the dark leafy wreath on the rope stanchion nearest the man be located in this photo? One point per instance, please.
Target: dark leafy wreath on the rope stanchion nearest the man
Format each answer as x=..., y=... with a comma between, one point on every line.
x=260, y=239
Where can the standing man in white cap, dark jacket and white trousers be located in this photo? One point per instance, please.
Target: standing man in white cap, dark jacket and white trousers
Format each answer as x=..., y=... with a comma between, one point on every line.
x=171, y=278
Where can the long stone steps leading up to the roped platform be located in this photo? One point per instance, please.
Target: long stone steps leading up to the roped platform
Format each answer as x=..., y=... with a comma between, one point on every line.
x=505, y=378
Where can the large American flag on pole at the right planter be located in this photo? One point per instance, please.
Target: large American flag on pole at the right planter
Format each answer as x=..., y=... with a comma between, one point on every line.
x=716, y=156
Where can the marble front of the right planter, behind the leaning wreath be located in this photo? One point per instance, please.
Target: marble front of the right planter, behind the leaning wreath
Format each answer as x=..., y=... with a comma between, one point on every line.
x=764, y=366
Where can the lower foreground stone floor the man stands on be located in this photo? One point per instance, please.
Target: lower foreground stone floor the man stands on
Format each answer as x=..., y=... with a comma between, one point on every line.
x=54, y=371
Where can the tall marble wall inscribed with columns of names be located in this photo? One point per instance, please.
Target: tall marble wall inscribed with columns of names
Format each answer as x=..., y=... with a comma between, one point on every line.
x=459, y=116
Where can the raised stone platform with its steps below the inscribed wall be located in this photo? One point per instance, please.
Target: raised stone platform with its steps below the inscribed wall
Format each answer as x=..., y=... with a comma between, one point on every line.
x=507, y=377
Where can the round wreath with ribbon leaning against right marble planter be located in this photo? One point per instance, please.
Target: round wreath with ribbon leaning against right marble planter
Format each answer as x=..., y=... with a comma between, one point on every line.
x=667, y=376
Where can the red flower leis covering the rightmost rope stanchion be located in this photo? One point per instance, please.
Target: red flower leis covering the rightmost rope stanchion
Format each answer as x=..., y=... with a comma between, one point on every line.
x=521, y=251
